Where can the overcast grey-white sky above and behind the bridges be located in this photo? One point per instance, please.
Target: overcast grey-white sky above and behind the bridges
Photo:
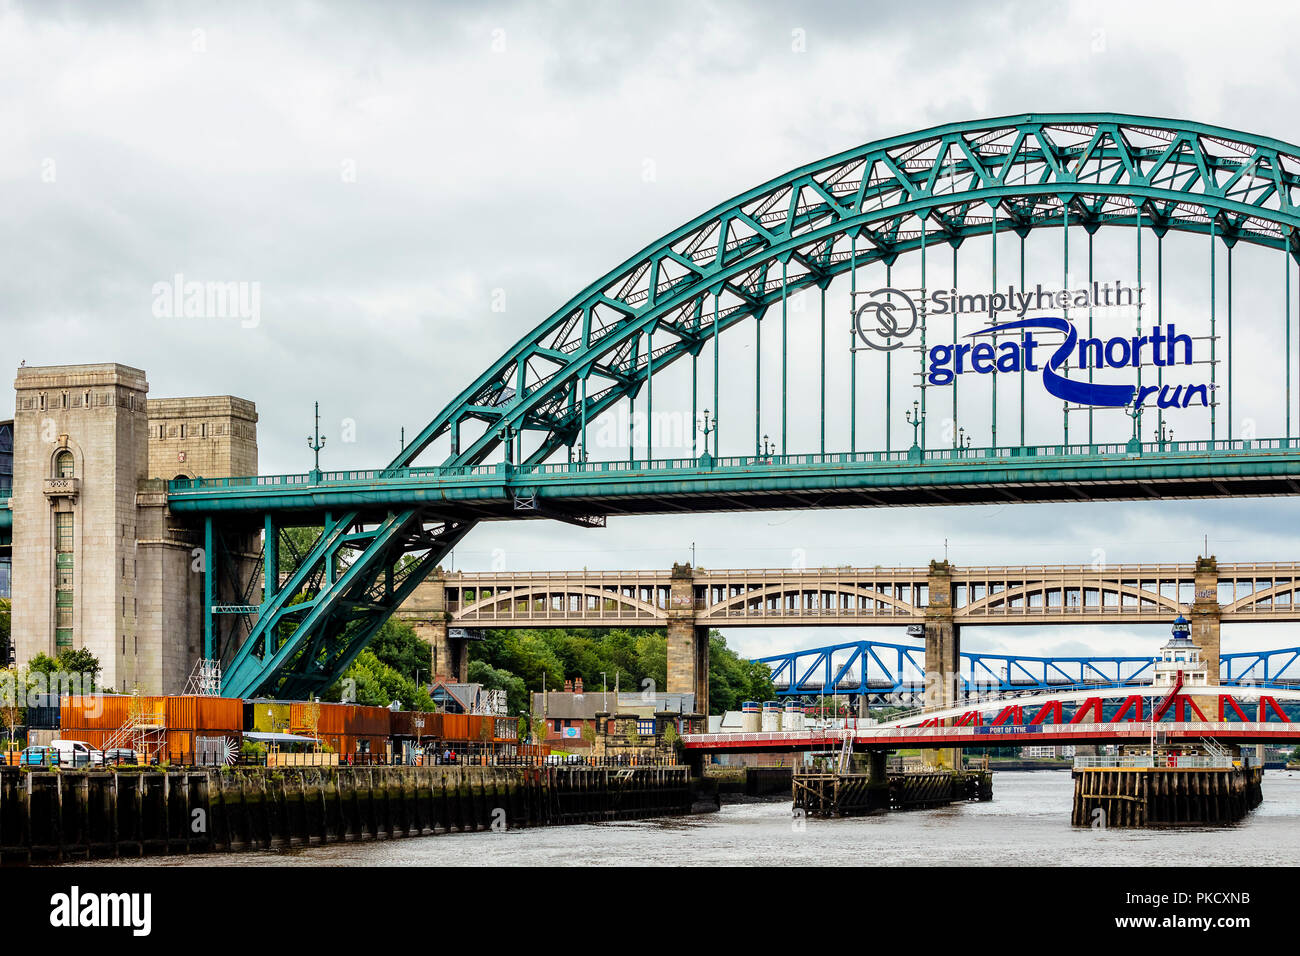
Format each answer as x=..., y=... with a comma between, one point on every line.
x=387, y=172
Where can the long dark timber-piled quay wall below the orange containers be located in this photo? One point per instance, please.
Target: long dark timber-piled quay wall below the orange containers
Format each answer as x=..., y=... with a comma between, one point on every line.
x=55, y=816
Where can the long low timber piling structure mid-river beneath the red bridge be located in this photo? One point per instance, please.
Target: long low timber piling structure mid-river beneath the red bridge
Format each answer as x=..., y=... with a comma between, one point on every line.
x=846, y=795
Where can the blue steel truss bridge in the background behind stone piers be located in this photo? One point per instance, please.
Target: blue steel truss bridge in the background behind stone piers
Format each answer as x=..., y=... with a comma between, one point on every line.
x=877, y=668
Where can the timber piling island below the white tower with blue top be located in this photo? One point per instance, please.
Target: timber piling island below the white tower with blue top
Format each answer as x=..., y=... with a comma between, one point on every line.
x=1164, y=797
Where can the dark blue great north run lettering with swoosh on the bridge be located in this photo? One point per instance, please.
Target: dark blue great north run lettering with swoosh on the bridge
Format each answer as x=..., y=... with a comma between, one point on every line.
x=1164, y=348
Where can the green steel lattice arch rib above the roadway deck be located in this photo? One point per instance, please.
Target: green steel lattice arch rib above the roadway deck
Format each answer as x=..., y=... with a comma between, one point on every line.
x=1025, y=172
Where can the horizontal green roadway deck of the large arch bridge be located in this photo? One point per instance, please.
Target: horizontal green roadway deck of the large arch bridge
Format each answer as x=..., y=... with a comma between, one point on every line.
x=946, y=477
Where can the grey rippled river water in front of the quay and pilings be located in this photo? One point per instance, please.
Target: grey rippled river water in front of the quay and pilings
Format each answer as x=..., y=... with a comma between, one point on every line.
x=1026, y=824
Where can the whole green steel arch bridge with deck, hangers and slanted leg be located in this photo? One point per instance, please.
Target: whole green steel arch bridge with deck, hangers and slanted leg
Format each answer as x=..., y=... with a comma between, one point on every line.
x=515, y=443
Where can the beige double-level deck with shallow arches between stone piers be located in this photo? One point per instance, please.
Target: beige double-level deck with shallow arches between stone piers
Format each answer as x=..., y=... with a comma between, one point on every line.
x=759, y=598
